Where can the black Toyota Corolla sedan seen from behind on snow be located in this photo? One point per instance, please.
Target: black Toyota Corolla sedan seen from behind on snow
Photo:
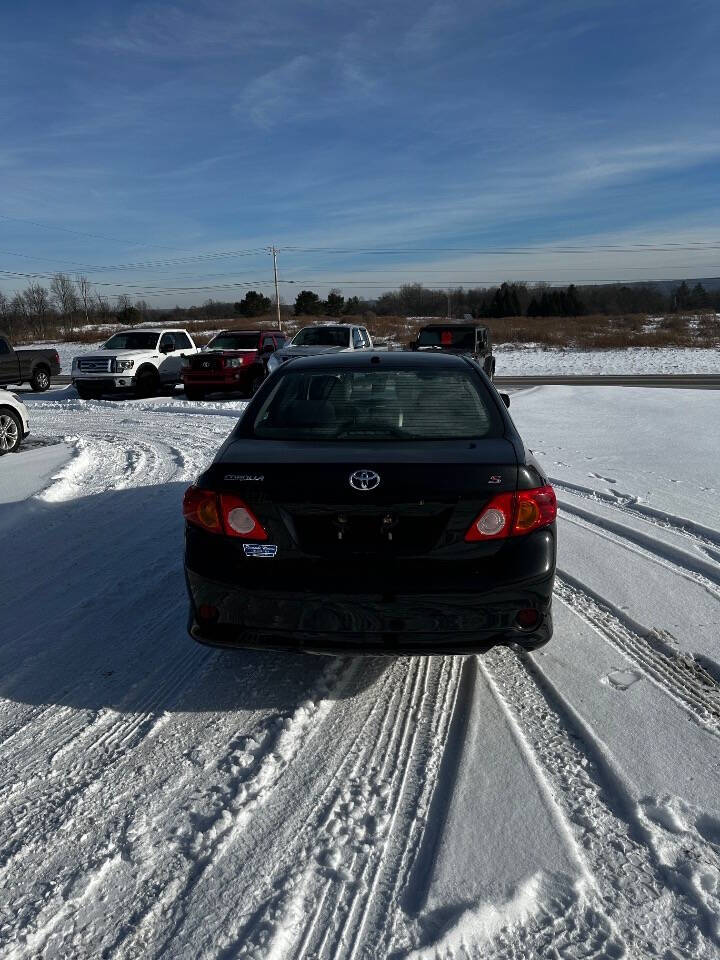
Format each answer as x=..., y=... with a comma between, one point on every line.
x=375, y=503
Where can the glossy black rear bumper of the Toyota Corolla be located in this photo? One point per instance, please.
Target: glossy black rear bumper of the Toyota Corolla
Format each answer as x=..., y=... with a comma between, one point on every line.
x=318, y=622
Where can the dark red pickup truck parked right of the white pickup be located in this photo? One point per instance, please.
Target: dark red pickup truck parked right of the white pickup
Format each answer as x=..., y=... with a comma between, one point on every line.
x=234, y=360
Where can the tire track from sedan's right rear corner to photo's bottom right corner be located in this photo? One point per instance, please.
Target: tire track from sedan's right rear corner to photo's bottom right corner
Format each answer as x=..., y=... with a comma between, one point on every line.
x=648, y=898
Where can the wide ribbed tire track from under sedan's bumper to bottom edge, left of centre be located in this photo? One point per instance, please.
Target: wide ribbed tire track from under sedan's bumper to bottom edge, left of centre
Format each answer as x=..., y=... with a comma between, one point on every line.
x=355, y=852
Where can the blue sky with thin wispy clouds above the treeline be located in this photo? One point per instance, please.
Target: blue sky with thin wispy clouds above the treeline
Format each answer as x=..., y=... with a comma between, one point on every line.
x=394, y=142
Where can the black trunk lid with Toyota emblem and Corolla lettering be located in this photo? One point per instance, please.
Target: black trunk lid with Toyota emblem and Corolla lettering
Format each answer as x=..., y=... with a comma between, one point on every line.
x=387, y=499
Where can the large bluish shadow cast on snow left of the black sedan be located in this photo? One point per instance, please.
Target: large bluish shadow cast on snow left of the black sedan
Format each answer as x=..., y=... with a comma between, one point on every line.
x=98, y=610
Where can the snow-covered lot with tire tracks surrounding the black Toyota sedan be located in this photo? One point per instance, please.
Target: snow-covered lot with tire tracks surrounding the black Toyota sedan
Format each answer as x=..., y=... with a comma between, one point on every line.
x=159, y=799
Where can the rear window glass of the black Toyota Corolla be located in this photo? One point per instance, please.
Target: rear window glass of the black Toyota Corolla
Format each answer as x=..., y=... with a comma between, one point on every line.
x=377, y=405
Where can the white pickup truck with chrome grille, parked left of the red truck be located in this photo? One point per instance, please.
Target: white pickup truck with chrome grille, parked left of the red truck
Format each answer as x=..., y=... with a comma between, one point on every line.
x=140, y=361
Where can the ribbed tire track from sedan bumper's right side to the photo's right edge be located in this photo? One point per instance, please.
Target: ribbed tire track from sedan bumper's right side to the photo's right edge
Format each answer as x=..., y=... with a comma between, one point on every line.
x=677, y=673
